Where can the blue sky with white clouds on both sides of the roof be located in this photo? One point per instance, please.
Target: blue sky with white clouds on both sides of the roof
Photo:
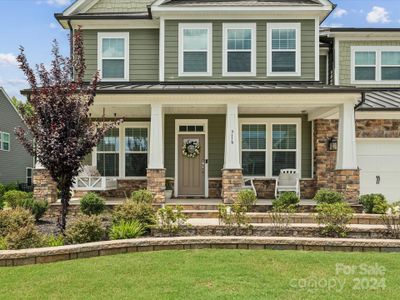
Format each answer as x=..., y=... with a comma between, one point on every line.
x=31, y=24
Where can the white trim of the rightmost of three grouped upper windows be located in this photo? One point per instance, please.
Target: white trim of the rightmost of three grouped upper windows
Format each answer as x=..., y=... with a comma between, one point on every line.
x=295, y=26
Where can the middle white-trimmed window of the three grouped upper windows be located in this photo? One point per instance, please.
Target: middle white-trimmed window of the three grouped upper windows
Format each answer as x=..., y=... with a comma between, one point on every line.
x=239, y=49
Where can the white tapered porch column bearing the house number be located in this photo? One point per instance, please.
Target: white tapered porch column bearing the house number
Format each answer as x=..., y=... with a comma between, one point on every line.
x=232, y=147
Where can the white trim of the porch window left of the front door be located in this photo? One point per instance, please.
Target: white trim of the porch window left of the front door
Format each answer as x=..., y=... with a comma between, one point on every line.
x=122, y=149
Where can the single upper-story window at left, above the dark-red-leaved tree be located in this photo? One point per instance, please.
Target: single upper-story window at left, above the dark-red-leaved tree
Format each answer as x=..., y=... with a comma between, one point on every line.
x=113, y=56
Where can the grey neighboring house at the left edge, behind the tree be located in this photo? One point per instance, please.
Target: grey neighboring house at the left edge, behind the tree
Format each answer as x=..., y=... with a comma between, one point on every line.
x=15, y=162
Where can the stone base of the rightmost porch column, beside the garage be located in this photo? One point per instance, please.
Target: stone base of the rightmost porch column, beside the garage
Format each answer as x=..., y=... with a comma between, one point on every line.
x=348, y=183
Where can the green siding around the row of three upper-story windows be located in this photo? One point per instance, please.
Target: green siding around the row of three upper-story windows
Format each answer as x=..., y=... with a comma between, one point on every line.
x=307, y=51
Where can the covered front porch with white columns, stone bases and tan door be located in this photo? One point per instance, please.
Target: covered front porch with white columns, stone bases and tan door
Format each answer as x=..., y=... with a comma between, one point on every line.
x=240, y=135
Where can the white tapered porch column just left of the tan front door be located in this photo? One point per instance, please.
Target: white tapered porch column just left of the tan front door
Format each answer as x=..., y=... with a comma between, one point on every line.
x=156, y=147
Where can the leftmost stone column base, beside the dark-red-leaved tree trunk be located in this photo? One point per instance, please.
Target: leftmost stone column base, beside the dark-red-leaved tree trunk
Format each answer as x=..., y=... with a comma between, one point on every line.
x=44, y=186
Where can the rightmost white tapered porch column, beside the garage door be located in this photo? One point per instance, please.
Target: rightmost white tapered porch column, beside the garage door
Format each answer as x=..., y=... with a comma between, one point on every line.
x=346, y=155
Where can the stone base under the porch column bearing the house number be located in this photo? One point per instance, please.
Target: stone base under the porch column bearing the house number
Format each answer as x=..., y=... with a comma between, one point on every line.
x=232, y=183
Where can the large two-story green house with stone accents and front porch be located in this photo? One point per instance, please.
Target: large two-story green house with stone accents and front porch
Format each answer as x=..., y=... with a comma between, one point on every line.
x=253, y=86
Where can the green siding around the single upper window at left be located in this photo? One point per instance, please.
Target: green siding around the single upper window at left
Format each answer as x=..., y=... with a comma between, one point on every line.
x=143, y=53
